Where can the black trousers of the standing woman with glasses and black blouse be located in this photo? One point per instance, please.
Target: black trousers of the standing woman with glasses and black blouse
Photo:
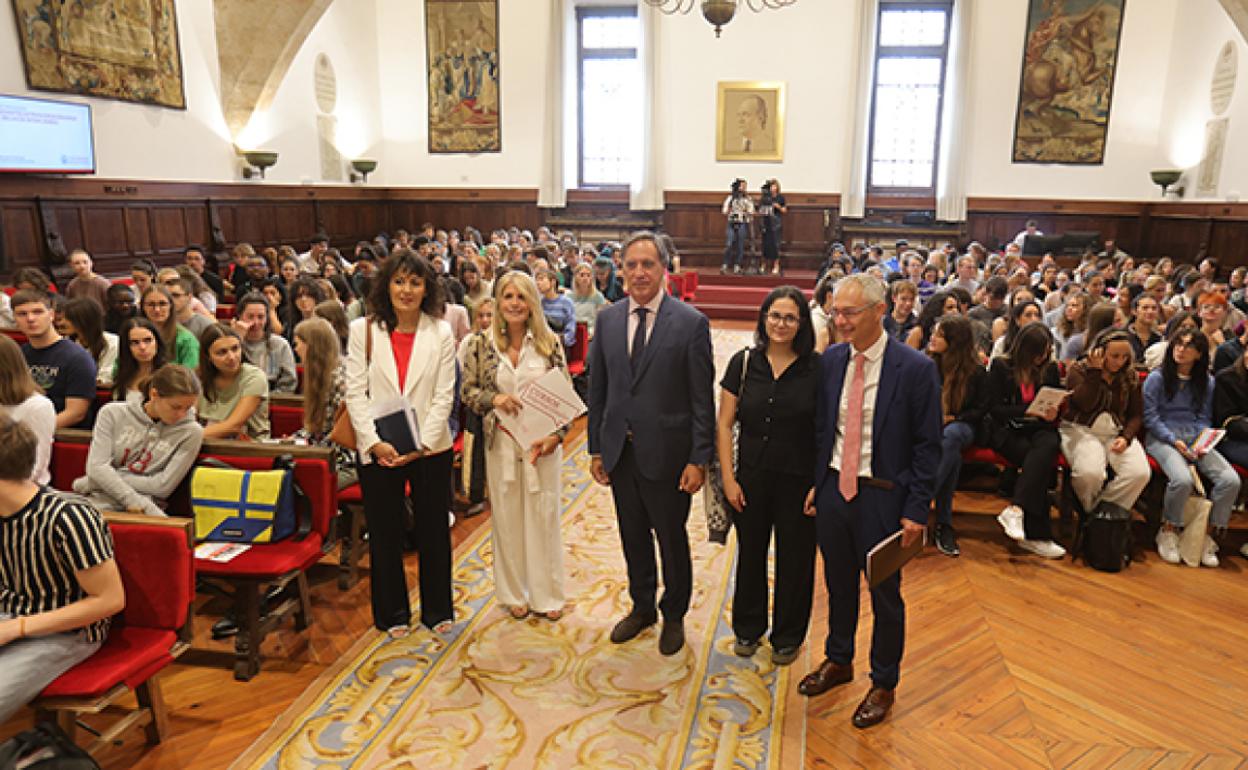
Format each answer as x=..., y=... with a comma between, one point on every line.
x=774, y=502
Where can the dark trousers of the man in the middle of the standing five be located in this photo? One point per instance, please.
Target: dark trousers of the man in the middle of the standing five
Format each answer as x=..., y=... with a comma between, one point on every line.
x=647, y=511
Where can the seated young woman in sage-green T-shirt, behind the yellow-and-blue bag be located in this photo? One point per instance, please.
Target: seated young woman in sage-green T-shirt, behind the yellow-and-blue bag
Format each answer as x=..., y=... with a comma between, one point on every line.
x=235, y=400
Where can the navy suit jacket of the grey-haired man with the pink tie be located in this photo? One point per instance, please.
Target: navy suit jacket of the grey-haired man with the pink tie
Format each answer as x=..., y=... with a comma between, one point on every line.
x=905, y=430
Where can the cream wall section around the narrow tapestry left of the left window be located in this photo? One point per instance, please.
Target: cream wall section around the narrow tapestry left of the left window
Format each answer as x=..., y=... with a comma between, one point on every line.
x=525, y=31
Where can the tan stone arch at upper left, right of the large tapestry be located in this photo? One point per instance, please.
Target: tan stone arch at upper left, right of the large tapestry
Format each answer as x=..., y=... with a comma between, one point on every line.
x=256, y=44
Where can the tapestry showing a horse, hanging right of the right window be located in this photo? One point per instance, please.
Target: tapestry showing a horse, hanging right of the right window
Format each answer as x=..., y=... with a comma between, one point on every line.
x=1068, y=82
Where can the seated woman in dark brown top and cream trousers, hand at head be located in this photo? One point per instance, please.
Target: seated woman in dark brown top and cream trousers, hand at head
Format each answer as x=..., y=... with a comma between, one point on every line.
x=1104, y=422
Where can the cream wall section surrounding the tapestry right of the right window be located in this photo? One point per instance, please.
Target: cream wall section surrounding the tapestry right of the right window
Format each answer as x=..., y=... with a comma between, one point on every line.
x=1135, y=120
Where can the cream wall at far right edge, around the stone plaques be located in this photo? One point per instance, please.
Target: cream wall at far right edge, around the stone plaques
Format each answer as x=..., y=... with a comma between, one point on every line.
x=1200, y=33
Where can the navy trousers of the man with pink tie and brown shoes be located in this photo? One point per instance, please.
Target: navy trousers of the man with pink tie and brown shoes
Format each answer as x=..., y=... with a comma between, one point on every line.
x=847, y=534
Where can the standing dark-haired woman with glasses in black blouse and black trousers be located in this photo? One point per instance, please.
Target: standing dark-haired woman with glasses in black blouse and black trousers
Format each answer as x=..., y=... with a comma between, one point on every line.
x=773, y=474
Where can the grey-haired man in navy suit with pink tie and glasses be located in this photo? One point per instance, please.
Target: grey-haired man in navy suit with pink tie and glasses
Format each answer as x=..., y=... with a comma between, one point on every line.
x=878, y=426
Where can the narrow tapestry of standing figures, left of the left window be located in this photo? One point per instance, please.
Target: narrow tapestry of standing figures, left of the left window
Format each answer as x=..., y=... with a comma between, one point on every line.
x=462, y=49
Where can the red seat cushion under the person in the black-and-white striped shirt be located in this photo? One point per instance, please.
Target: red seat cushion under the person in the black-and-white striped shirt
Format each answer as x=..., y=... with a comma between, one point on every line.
x=130, y=657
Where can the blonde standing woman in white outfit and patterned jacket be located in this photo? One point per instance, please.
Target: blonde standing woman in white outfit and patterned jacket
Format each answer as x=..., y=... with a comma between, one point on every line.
x=524, y=481
